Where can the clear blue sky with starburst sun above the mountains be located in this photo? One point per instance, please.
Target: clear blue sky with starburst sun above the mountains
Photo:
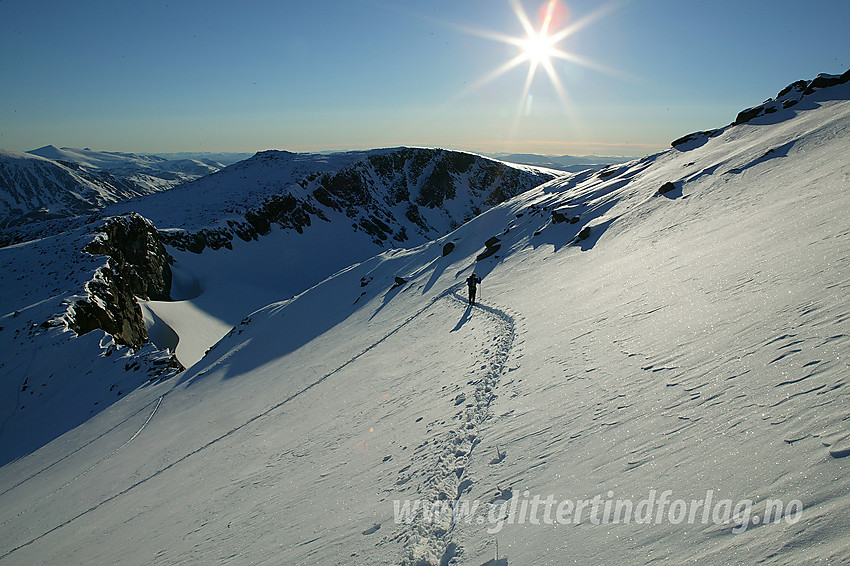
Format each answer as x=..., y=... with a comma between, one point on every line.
x=208, y=75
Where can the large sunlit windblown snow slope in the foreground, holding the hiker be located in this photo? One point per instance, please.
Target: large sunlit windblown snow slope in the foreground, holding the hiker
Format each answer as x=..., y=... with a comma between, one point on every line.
x=693, y=343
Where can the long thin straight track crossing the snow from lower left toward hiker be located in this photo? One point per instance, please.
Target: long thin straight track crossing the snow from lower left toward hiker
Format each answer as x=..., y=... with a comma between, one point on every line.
x=223, y=436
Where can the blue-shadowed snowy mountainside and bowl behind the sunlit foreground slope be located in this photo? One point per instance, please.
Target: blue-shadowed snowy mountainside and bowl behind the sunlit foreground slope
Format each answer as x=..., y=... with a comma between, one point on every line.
x=287, y=256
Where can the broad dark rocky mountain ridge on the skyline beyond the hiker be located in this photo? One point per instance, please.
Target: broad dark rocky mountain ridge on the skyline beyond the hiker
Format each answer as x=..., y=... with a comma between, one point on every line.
x=392, y=195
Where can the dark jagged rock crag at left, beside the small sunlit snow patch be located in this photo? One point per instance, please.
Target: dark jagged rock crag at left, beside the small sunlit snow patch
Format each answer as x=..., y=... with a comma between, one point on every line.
x=138, y=266
